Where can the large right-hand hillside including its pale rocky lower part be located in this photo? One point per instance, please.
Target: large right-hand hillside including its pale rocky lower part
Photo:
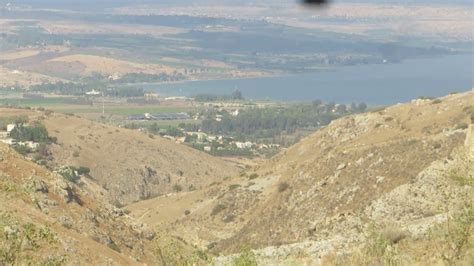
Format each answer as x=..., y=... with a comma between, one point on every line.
x=389, y=168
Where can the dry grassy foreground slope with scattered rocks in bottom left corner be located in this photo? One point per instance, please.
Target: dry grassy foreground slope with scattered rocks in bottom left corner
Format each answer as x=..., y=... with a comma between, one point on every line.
x=46, y=220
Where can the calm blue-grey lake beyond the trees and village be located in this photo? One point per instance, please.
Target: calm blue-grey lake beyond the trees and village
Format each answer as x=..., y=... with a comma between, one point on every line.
x=373, y=84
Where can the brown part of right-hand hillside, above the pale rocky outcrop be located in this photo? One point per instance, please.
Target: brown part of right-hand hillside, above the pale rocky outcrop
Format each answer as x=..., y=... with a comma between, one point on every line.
x=322, y=185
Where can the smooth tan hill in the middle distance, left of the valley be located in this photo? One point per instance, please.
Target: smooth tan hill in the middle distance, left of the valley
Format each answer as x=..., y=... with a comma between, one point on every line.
x=131, y=165
